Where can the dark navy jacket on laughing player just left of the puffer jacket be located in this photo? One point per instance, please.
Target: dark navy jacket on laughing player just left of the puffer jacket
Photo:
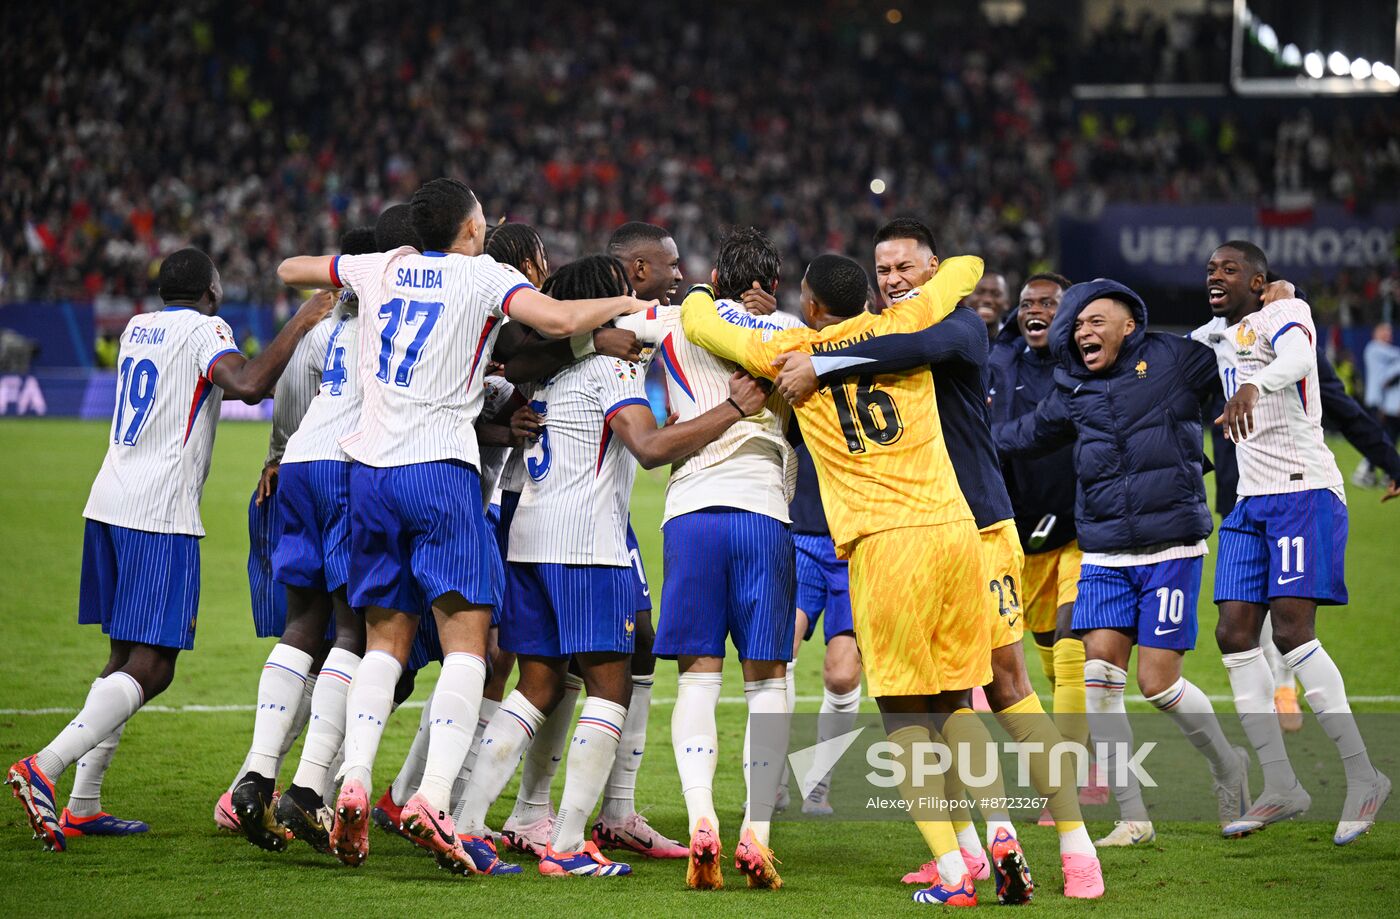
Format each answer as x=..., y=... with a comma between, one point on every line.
x=1039, y=485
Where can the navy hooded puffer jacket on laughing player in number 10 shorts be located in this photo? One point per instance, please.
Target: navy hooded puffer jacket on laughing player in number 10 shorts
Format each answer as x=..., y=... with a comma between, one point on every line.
x=1136, y=431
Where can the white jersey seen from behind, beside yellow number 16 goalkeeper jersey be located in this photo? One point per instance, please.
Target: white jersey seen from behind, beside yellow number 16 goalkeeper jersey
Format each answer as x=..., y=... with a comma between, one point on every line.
x=762, y=471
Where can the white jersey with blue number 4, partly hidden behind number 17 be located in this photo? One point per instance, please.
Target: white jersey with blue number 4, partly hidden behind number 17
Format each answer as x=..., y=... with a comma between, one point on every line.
x=335, y=411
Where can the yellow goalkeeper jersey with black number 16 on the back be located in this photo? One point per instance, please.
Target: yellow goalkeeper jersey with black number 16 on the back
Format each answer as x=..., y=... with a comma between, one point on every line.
x=876, y=441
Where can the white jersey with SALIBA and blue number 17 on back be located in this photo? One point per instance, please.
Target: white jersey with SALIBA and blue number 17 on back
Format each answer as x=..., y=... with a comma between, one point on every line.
x=428, y=324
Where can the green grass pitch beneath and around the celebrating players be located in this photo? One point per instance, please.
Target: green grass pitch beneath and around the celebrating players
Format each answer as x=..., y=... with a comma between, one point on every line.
x=171, y=767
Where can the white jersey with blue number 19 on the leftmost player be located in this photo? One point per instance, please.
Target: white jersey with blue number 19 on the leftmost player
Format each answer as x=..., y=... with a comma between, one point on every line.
x=163, y=425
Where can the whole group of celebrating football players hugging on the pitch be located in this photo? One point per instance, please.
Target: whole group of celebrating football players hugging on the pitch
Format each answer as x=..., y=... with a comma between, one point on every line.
x=454, y=448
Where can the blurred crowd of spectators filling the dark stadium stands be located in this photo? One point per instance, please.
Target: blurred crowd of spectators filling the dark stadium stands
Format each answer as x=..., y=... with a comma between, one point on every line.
x=215, y=125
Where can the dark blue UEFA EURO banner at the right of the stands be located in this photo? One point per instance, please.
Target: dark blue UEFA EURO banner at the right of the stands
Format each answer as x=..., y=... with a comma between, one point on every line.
x=1170, y=244
